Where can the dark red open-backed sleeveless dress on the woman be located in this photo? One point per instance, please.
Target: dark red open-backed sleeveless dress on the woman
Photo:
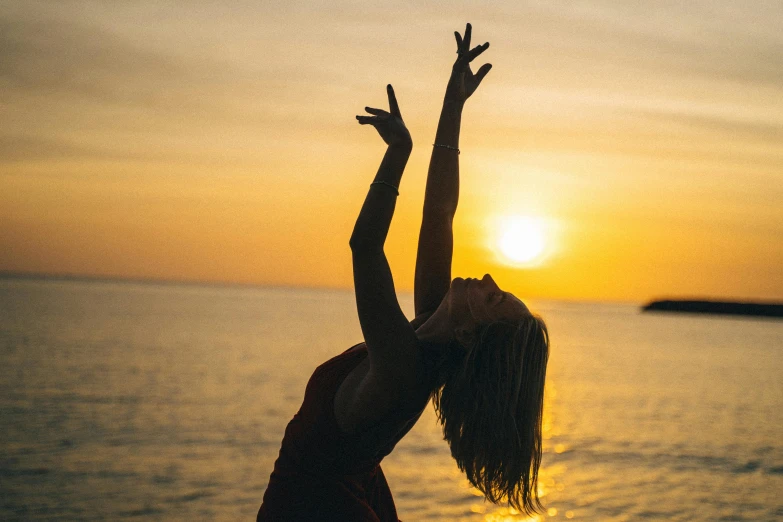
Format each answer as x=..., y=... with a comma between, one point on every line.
x=324, y=474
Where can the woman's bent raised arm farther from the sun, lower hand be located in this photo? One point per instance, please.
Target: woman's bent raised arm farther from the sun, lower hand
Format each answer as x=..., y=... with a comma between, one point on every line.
x=387, y=332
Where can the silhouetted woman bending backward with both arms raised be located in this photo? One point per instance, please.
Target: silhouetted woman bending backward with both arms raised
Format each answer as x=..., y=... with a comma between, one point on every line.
x=474, y=349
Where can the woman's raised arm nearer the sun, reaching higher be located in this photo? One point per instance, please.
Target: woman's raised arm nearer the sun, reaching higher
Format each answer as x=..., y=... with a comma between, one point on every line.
x=436, y=238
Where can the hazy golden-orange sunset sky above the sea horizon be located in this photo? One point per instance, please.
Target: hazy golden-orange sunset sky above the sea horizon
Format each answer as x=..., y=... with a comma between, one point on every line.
x=216, y=141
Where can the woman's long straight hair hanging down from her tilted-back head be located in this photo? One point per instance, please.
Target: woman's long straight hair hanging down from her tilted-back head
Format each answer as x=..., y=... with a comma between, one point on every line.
x=489, y=401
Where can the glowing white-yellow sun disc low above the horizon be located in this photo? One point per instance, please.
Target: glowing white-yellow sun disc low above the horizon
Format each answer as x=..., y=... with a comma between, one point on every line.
x=521, y=240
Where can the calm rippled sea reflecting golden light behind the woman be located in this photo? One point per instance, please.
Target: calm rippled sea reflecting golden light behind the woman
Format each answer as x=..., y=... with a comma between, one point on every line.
x=164, y=402
